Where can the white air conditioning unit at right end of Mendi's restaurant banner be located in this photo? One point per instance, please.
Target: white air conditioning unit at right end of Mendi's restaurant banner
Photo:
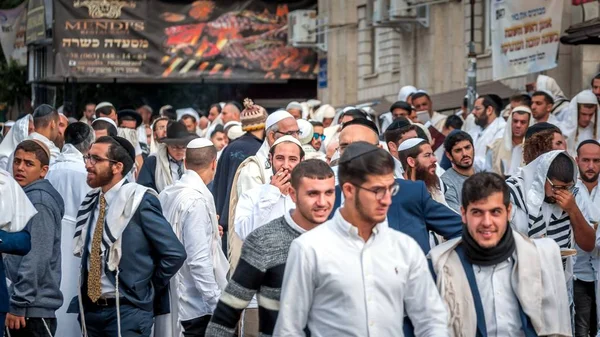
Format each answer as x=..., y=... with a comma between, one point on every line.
x=302, y=28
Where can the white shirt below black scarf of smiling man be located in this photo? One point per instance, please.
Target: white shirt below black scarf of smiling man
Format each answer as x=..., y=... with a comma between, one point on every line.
x=500, y=304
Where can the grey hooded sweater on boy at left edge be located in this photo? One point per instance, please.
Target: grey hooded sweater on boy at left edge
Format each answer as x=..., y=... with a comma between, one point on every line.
x=35, y=277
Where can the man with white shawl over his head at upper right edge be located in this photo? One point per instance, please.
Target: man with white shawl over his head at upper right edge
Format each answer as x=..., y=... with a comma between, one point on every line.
x=581, y=121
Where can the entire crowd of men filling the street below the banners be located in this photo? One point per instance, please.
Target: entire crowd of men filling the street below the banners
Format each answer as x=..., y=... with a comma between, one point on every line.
x=306, y=221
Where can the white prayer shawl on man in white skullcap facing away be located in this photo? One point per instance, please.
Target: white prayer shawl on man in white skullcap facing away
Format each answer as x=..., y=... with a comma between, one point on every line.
x=187, y=193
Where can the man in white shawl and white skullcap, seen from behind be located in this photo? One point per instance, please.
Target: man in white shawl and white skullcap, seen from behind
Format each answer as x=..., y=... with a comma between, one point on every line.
x=189, y=207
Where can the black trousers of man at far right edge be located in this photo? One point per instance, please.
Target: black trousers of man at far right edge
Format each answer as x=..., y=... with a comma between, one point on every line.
x=584, y=294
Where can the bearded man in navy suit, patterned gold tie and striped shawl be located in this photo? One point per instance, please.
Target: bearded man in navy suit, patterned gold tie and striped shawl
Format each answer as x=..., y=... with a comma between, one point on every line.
x=126, y=263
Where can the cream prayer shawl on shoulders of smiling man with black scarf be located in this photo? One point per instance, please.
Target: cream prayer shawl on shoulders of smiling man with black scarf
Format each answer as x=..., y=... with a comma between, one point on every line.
x=537, y=280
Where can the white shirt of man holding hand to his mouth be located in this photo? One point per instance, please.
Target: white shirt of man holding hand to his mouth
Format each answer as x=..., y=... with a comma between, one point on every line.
x=258, y=206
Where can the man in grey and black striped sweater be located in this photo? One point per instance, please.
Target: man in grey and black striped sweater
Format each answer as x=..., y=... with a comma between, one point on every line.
x=265, y=251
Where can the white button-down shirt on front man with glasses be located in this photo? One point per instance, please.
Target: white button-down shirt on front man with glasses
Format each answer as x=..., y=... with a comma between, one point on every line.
x=340, y=285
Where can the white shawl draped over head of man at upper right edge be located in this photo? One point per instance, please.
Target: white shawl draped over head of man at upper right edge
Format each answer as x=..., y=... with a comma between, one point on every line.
x=570, y=127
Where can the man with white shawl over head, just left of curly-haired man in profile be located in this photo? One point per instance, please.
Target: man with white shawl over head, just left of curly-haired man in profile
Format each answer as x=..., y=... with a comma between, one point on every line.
x=505, y=155
